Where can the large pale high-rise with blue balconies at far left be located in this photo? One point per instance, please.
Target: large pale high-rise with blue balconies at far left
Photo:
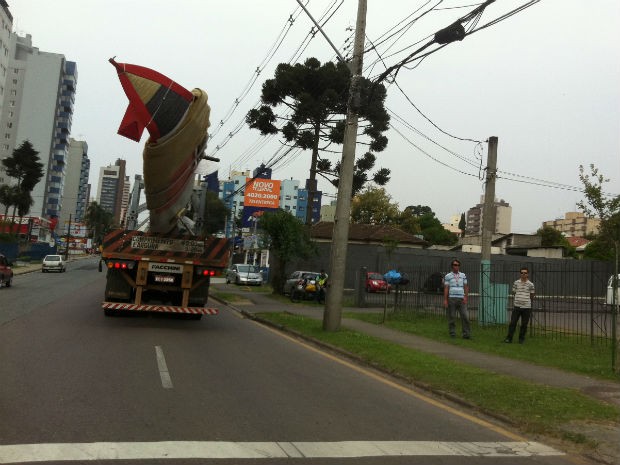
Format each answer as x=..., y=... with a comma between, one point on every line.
x=37, y=105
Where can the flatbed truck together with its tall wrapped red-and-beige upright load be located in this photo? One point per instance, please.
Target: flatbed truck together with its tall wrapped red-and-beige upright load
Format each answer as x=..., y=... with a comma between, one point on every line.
x=165, y=268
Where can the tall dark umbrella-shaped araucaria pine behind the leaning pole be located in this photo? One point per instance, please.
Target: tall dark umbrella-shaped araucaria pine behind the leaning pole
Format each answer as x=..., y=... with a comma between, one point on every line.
x=317, y=97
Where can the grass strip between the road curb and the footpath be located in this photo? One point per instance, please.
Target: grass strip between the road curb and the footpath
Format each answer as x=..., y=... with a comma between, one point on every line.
x=535, y=408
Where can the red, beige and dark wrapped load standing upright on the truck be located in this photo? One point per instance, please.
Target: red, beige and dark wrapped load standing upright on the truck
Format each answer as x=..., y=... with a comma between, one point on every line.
x=177, y=121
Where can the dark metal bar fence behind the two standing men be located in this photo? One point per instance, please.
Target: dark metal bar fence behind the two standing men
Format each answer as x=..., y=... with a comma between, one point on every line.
x=570, y=296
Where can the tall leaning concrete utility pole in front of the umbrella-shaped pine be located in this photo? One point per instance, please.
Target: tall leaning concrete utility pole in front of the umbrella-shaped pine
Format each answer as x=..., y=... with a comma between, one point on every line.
x=340, y=236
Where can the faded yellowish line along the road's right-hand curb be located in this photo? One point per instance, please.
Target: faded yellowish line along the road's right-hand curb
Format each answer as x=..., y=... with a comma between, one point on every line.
x=405, y=389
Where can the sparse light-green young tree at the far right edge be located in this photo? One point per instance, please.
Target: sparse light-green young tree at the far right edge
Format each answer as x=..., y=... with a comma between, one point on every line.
x=607, y=209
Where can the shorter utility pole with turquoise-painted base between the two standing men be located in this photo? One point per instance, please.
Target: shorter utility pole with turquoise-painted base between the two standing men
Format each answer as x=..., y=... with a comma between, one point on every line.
x=488, y=227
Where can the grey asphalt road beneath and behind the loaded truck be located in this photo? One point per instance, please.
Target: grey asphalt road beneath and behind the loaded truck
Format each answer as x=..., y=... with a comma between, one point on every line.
x=76, y=385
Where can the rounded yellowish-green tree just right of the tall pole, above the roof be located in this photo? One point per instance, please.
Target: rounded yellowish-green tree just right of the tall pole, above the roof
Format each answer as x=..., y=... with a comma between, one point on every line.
x=374, y=206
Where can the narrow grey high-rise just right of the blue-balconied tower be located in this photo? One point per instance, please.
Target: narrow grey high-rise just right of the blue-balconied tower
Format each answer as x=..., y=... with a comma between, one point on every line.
x=76, y=189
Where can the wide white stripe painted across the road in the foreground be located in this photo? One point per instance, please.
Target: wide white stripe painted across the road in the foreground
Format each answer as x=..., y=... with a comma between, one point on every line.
x=19, y=453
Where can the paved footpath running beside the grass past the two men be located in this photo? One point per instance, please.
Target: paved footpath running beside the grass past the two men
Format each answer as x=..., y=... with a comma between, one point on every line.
x=608, y=438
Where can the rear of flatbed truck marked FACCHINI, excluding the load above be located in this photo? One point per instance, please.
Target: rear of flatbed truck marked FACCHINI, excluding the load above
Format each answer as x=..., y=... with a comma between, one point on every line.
x=154, y=272
